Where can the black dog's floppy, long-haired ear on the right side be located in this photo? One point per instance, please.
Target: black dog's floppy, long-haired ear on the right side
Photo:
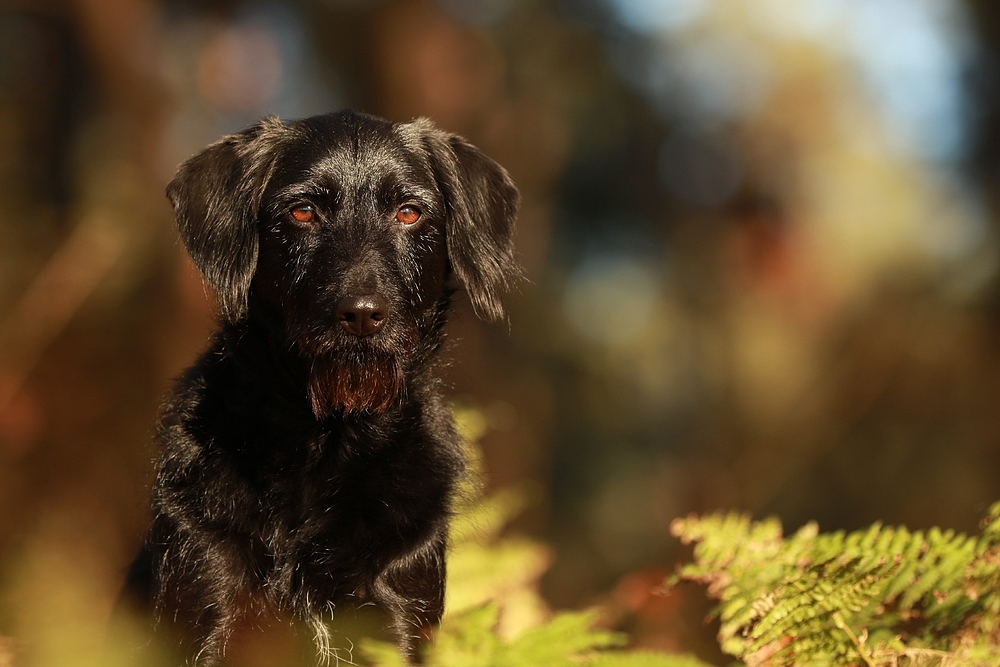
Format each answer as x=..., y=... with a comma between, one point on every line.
x=482, y=206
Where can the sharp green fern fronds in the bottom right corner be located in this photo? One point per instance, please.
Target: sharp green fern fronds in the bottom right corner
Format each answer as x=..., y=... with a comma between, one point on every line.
x=847, y=599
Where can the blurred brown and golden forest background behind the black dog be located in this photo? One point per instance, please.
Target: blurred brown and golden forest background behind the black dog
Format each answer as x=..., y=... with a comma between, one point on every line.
x=762, y=240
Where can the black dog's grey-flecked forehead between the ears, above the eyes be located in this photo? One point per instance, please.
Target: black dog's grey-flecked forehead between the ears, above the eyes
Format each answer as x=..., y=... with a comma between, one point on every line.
x=350, y=152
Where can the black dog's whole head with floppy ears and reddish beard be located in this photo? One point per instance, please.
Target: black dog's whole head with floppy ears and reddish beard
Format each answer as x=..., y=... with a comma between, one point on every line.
x=343, y=232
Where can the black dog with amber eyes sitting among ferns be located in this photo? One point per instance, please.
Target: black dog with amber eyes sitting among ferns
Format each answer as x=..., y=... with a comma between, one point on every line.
x=308, y=459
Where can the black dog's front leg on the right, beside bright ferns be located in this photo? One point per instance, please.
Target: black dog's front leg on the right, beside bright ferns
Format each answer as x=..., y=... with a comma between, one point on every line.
x=412, y=590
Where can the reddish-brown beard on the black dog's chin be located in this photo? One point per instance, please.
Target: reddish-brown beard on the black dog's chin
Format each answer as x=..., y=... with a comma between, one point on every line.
x=337, y=386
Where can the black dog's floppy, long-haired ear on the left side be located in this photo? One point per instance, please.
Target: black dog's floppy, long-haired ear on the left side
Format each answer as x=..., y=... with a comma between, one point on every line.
x=216, y=197
